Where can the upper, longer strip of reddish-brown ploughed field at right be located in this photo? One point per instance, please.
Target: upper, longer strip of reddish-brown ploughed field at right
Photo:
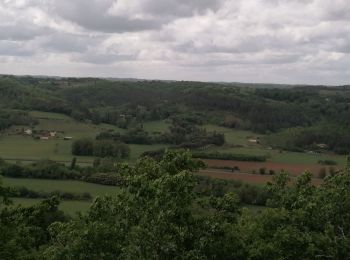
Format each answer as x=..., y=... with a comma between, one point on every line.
x=249, y=167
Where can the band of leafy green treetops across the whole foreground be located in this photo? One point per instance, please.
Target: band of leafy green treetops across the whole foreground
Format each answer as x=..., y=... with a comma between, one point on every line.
x=159, y=215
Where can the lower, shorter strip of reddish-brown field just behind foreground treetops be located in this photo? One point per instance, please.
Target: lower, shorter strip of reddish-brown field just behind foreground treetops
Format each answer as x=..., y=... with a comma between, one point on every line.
x=244, y=177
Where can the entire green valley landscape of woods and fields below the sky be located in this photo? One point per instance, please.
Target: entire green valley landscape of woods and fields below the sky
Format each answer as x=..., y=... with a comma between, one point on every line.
x=173, y=170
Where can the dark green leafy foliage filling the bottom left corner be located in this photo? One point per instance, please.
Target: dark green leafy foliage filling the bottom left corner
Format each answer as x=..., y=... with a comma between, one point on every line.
x=23, y=231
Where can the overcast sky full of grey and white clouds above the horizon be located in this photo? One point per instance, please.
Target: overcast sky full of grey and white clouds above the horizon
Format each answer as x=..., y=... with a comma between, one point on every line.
x=280, y=41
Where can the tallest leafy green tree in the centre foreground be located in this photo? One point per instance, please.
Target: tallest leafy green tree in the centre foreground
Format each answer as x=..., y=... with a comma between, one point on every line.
x=151, y=219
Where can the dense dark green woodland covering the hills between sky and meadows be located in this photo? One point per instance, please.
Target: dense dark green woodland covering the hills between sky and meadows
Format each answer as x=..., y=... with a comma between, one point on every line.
x=300, y=116
